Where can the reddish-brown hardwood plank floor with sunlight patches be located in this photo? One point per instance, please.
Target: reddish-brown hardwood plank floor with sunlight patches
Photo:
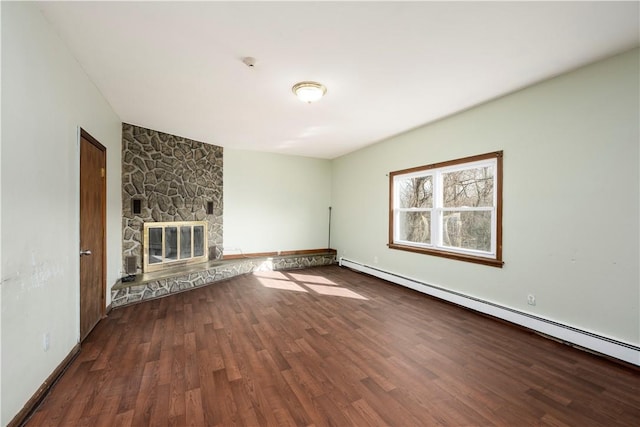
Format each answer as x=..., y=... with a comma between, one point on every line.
x=329, y=346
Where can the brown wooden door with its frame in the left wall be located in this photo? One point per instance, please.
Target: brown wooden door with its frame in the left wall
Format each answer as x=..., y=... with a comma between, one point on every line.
x=92, y=232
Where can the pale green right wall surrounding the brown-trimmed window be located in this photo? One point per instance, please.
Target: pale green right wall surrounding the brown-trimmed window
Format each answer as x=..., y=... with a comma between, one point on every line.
x=571, y=198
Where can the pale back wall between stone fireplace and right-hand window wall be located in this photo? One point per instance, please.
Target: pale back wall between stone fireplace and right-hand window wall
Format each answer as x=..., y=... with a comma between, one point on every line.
x=274, y=202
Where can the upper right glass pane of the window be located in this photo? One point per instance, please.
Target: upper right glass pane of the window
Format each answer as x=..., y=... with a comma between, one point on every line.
x=468, y=188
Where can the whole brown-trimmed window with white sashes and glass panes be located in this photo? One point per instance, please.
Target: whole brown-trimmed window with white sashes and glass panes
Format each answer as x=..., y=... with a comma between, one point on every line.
x=451, y=209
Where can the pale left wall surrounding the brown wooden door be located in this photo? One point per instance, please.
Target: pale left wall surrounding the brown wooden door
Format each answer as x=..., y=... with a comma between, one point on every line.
x=46, y=97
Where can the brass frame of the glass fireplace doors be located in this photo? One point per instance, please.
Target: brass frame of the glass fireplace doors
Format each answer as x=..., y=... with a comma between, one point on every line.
x=172, y=256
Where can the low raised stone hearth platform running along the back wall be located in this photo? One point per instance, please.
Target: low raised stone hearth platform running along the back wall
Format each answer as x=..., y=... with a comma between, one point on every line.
x=154, y=285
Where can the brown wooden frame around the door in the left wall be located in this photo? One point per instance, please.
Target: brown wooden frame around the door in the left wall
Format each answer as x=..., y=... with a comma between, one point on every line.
x=103, y=218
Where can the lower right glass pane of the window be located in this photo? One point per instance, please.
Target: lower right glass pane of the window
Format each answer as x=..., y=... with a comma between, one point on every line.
x=467, y=230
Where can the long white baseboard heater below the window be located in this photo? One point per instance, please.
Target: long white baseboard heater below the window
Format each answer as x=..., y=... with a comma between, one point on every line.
x=568, y=334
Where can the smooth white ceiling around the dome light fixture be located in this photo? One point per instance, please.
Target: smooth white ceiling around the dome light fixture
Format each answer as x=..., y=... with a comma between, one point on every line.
x=389, y=66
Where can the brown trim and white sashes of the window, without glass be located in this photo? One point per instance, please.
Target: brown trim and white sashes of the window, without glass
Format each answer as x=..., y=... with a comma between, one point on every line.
x=436, y=170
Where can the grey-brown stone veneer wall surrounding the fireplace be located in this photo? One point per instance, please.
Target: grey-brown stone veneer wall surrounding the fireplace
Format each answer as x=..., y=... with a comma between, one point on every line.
x=174, y=177
